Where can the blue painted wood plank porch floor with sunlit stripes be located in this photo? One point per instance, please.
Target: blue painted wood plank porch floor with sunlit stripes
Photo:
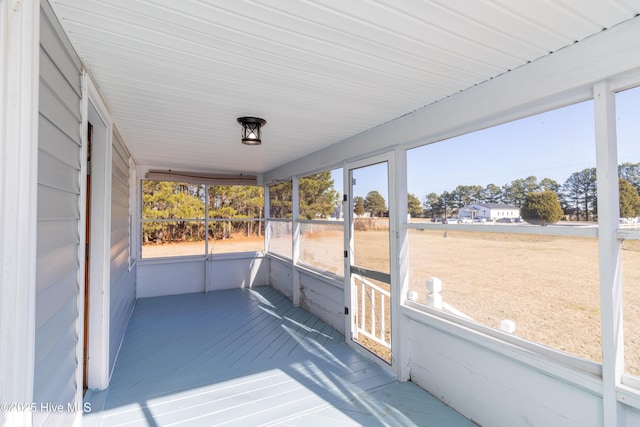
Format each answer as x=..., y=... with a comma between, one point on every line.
x=248, y=357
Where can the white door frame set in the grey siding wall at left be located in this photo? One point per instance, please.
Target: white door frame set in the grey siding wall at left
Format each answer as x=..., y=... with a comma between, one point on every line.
x=95, y=111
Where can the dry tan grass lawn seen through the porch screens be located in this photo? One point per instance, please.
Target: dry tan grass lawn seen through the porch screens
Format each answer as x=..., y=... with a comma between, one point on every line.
x=547, y=285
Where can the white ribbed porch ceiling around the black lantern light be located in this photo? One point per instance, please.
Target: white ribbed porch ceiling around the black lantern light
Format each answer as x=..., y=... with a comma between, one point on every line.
x=177, y=74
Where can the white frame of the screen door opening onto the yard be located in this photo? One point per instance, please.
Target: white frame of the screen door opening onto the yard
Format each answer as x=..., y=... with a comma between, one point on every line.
x=390, y=159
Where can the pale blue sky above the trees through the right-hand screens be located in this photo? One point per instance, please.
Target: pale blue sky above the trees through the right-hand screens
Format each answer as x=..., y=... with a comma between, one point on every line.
x=549, y=145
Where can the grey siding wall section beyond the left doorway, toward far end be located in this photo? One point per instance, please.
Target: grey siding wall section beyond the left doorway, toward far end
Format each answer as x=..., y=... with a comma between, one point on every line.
x=122, y=278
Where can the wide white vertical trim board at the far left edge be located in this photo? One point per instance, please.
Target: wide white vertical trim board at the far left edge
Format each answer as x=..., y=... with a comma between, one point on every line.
x=19, y=95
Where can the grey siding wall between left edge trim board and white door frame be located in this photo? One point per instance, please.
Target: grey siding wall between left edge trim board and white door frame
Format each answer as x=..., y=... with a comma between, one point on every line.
x=58, y=235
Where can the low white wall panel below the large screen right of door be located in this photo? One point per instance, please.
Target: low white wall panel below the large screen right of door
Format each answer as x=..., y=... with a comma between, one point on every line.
x=494, y=389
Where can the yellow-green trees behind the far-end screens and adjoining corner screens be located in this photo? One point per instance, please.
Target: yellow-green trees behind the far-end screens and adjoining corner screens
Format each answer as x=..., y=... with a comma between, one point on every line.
x=174, y=211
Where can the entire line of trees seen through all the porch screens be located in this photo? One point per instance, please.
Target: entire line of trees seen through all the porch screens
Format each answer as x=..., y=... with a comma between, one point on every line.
x=168, y=207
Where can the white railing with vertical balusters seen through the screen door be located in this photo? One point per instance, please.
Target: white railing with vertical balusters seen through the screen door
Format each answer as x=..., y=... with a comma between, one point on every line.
x=373, y=311
